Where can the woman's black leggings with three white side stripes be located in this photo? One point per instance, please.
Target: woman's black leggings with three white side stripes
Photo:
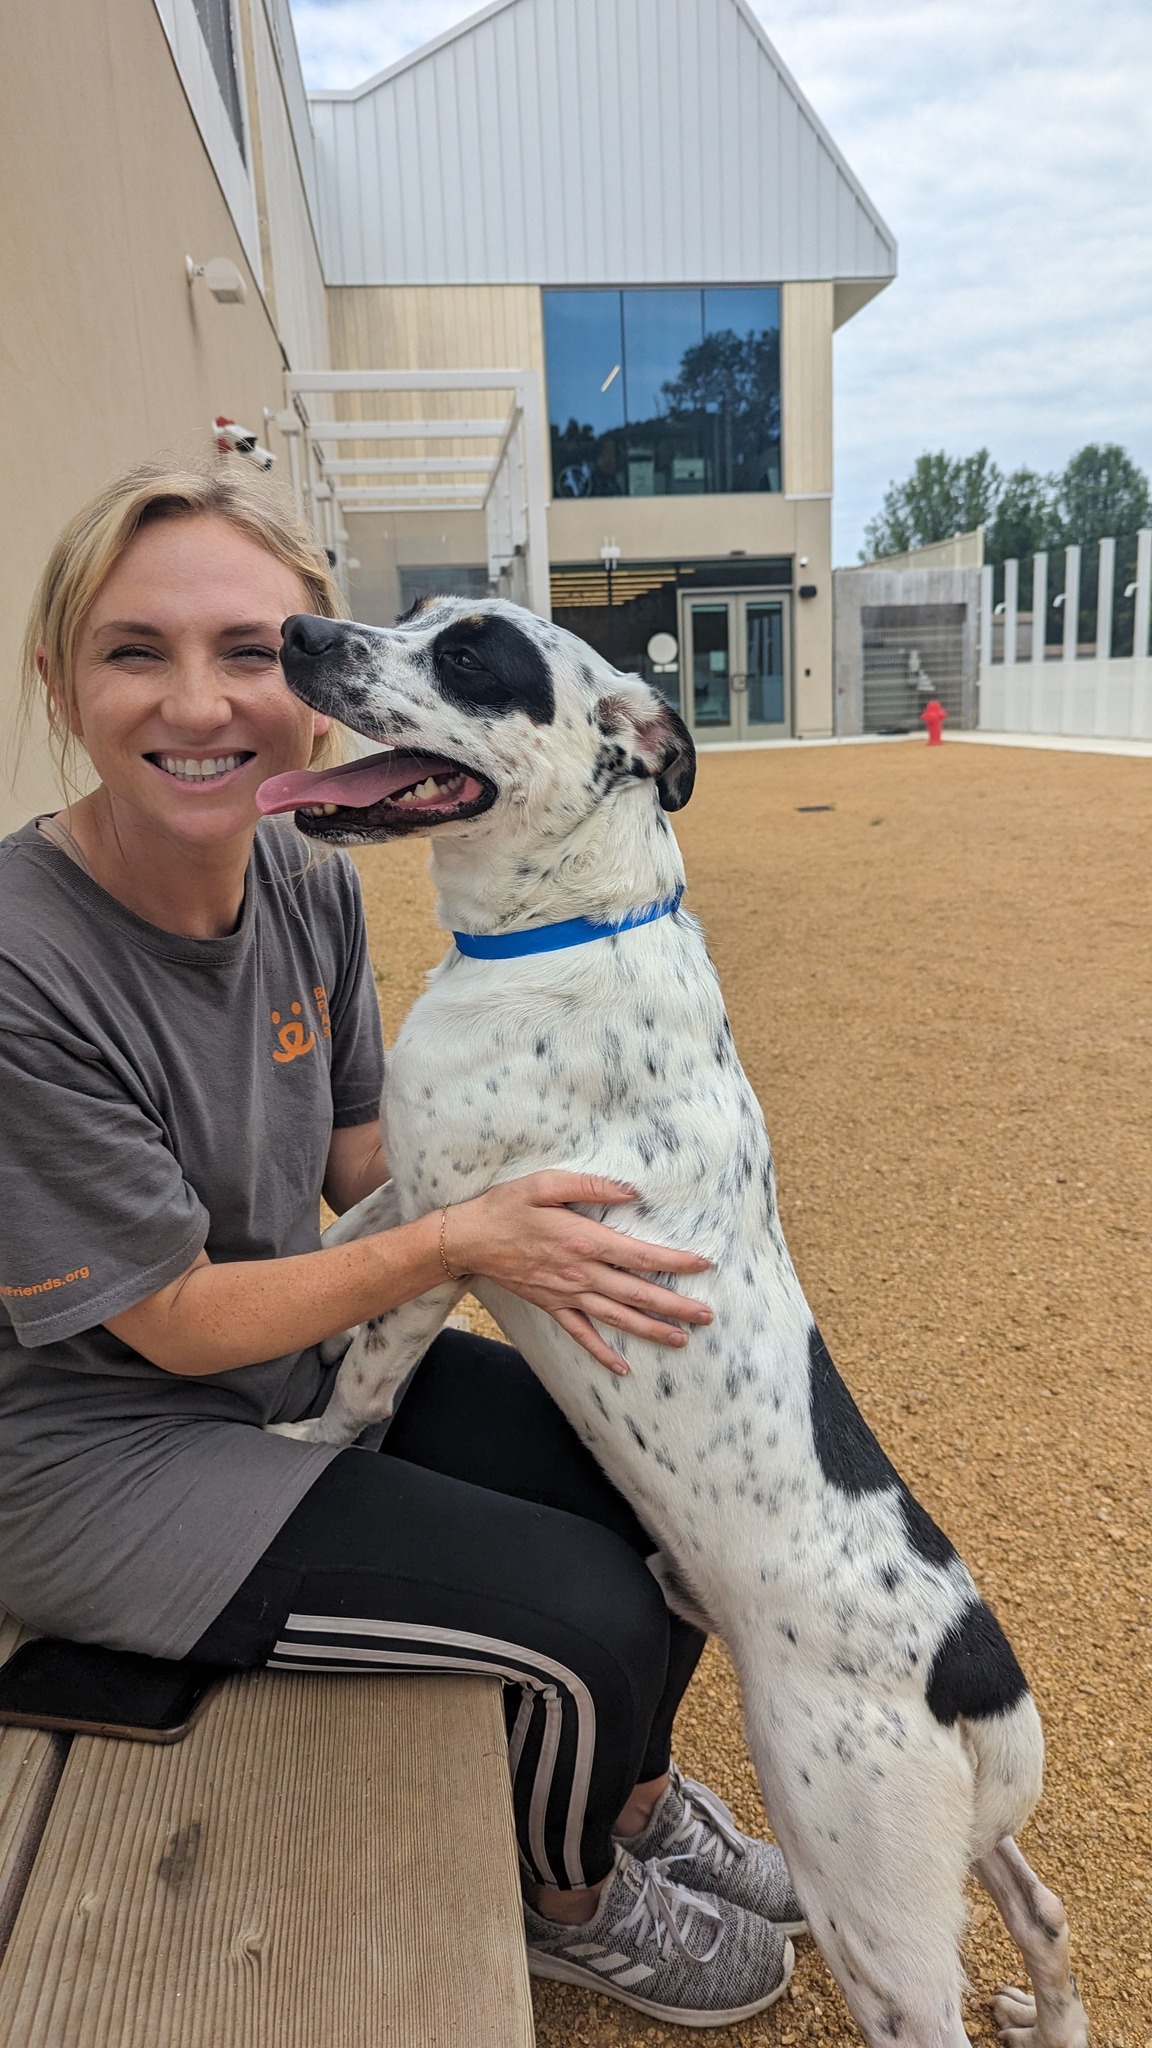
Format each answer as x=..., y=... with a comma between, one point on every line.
x=485, y=1539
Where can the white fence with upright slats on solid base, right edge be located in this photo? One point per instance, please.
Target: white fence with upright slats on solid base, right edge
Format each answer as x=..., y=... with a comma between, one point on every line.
x=1089, y=691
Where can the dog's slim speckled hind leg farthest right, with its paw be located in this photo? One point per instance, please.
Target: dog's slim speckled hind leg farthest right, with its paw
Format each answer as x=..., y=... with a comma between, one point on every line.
x=1036, y=1920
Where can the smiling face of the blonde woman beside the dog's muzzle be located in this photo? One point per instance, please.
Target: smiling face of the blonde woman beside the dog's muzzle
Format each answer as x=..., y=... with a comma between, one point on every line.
x=181, y=699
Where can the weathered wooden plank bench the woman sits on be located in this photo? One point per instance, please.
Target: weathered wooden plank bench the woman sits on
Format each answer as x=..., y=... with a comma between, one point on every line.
x=323, y=1863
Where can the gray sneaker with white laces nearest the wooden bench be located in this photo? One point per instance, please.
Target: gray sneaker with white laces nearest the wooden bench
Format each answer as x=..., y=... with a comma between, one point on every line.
x=669, y=1953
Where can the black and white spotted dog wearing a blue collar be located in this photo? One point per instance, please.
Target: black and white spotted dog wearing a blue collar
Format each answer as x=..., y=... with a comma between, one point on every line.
x=893, y=1730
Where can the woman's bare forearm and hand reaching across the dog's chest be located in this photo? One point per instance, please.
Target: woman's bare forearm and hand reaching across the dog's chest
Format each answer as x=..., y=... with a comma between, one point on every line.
x=524, y=1236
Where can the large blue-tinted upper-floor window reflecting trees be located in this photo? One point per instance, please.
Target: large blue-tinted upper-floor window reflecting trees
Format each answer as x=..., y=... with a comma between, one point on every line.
x=663, y=392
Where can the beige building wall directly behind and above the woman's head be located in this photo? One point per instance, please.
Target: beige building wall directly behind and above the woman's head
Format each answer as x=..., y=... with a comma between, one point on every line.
x=108, y=355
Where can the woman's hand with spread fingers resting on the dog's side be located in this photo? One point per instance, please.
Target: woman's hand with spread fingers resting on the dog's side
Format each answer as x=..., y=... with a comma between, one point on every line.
x=528, y=1238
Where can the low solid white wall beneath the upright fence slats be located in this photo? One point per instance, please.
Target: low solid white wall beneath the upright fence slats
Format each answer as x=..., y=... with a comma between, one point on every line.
x=1083, y=699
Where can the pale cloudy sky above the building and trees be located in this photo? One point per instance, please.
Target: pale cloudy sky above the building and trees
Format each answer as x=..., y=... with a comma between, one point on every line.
x=1010, y=148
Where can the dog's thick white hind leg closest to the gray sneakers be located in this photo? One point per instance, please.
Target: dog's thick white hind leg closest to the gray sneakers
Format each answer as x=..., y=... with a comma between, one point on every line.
x=872, y=1809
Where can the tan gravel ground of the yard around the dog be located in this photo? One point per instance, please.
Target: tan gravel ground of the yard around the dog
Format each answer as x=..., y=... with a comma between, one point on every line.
x=940, y=980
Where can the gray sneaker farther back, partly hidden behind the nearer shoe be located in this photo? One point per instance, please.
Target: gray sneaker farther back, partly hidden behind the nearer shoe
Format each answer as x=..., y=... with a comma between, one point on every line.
x=694, y=1838
